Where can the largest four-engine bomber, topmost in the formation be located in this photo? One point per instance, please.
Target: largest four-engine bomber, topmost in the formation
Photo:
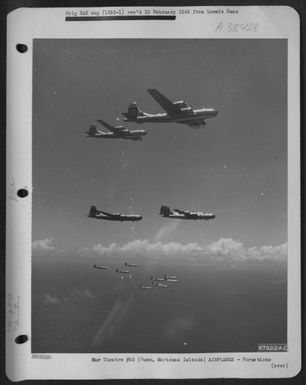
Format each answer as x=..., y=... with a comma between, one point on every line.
x=177, y=112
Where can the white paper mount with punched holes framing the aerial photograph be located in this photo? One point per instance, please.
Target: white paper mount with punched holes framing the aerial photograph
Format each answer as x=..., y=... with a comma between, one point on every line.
x=274, y=23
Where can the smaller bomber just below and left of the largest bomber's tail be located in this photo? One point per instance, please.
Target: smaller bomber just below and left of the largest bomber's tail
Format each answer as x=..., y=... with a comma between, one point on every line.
x=117, y=132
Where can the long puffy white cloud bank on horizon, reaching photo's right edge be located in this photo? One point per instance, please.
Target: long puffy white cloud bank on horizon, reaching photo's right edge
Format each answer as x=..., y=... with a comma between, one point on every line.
x=223, y=249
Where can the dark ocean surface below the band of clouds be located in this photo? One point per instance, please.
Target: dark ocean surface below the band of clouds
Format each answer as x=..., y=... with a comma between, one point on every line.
x=216, y=306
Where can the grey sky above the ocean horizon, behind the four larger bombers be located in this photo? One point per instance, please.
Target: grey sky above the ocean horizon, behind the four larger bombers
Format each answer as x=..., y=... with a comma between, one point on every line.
x=236, y=167
